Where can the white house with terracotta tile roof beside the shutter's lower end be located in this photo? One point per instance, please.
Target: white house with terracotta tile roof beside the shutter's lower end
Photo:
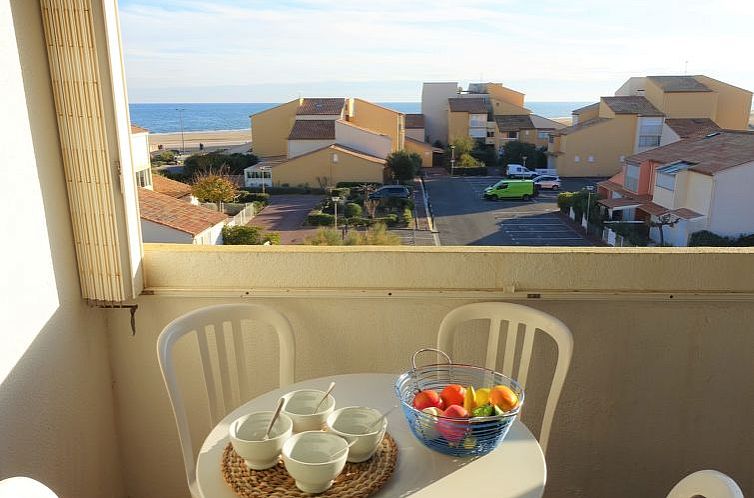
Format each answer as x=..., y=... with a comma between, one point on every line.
x=167, y=219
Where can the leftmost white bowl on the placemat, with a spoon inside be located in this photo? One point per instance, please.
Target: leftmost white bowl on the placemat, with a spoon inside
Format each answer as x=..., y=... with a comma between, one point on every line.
x=247, y=437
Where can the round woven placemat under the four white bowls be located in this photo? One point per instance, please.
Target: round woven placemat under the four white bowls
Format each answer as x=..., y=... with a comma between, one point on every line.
x=357, y=480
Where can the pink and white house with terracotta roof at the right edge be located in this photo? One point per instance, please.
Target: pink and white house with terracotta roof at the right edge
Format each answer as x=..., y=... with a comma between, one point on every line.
x=700, y=183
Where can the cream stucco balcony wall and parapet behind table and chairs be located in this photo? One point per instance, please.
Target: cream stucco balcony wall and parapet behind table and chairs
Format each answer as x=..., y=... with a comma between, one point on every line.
x=83, y=407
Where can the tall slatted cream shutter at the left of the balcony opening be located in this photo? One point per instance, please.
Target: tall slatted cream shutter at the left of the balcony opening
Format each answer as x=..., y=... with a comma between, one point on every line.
x=92, y=117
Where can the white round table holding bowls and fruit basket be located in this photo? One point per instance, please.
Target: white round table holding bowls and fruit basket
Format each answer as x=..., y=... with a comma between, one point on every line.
x=515, y=469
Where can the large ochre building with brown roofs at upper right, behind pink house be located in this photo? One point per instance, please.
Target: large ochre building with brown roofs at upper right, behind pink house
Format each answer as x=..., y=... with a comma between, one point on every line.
x=645, y=112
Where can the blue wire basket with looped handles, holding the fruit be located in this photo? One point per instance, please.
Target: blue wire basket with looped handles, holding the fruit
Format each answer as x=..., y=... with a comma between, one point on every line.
x=461, y=437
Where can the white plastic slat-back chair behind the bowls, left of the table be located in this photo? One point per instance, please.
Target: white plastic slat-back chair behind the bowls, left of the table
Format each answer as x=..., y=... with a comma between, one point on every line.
x=221, y=317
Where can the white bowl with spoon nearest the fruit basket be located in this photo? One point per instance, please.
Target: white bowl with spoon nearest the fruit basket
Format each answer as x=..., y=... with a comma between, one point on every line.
x=357, y=423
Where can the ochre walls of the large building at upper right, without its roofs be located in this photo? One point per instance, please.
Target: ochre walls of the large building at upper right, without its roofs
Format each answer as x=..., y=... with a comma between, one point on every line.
x=608, y=142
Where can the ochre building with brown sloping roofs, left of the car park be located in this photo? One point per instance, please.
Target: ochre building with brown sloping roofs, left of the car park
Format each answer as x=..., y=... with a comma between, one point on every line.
x=320, y=142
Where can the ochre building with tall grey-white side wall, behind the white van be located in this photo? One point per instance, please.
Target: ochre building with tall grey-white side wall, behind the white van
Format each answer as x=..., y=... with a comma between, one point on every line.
x=487, y=112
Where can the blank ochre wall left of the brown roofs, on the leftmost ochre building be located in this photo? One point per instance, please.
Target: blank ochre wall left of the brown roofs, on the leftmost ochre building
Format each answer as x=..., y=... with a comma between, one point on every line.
x=270, y=129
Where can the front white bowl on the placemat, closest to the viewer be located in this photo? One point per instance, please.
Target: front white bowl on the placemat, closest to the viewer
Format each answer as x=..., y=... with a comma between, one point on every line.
x=314, y=459
